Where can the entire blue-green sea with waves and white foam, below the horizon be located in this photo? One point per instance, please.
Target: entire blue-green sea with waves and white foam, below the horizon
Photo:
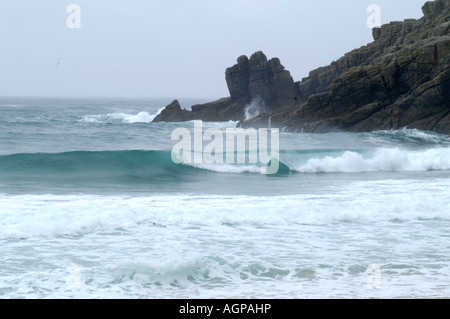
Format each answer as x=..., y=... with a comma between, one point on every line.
x=92, y=206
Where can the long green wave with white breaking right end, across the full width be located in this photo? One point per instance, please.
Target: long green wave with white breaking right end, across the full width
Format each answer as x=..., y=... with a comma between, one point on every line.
x=158, y=164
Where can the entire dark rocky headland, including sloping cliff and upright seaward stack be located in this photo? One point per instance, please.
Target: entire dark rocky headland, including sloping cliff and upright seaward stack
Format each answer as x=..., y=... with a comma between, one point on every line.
x=401, y=79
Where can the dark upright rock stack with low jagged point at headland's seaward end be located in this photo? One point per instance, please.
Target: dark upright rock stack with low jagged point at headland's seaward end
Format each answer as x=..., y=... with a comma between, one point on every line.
x=249, y=79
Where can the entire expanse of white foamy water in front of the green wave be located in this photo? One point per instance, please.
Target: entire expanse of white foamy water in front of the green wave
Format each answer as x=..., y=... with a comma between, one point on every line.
x=180, y=246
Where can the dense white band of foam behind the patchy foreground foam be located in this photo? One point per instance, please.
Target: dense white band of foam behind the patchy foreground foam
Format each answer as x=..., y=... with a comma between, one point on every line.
x=53, y=215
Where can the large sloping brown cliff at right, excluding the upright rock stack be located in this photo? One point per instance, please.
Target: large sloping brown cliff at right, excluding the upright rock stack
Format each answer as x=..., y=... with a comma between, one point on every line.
x=402, y=79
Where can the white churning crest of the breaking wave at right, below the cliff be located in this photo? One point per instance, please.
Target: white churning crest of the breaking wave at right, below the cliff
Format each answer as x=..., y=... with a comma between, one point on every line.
x=383, y=159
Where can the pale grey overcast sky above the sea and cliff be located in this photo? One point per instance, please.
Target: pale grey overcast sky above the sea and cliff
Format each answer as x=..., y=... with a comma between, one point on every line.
x=172, y=48
